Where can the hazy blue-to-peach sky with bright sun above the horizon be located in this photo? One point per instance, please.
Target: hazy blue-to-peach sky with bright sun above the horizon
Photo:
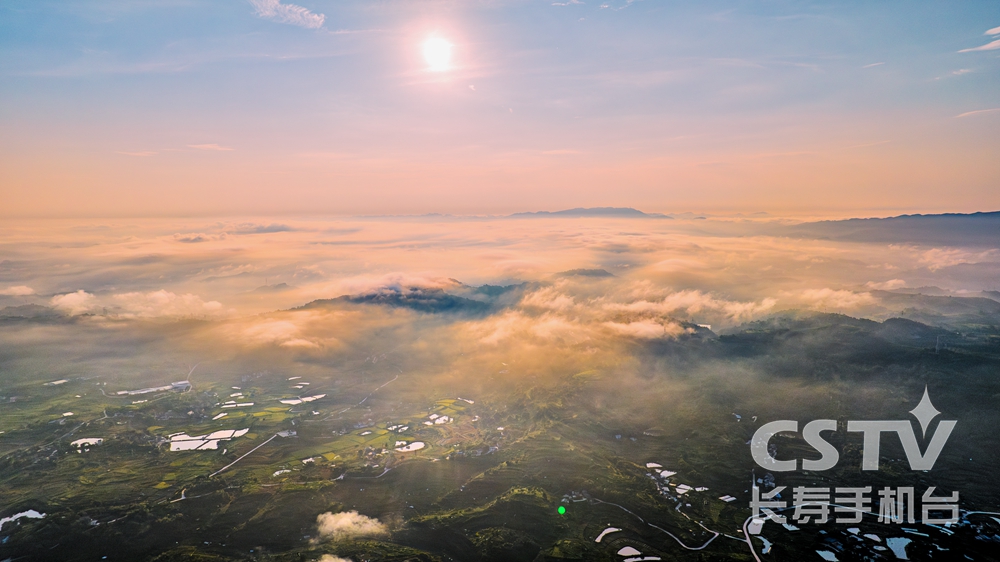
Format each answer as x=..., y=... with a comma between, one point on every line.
x=261, y=107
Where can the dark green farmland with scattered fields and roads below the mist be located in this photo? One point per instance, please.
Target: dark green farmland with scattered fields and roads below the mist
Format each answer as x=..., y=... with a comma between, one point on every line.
x=487, y=484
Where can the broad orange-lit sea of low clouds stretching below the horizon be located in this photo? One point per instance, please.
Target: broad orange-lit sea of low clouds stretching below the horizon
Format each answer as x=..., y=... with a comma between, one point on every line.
x=663, y=275
